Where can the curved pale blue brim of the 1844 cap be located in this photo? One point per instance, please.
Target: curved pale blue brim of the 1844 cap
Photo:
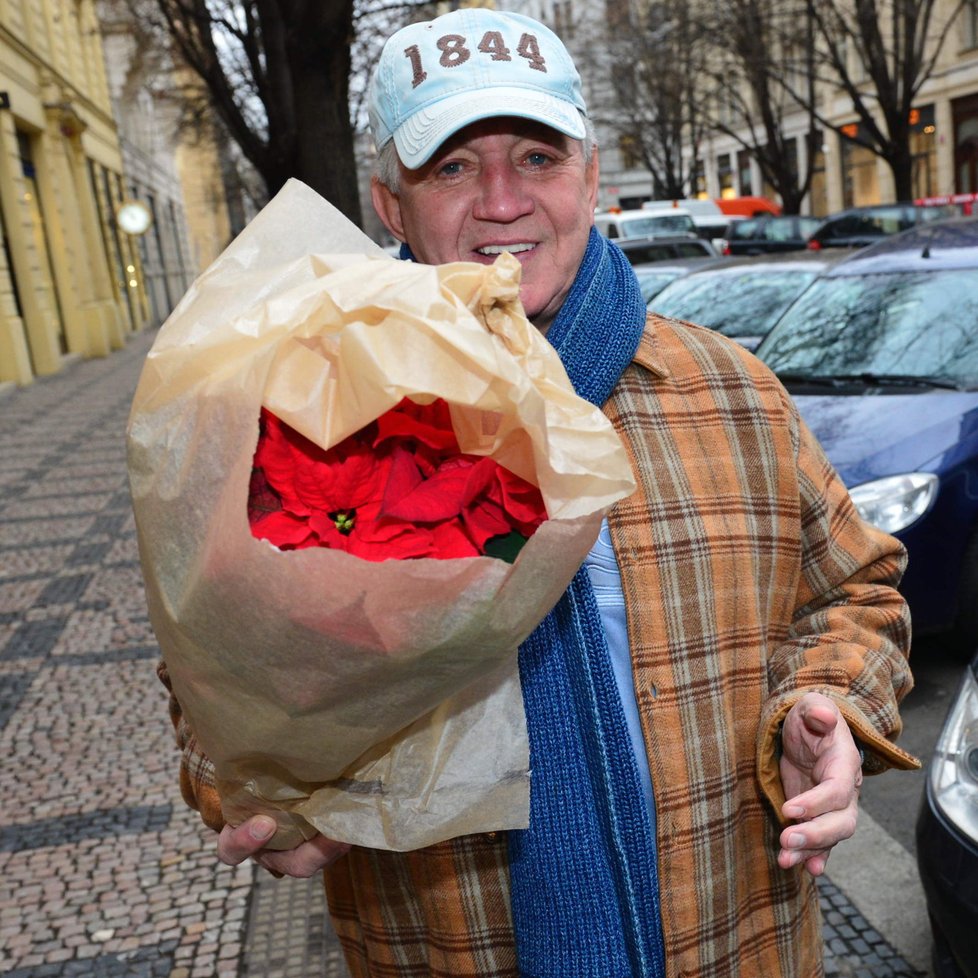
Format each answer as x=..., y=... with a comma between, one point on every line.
x=421, y=135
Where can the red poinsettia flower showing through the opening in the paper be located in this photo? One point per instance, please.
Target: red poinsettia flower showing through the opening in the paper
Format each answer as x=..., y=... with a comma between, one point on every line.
x=398, y=488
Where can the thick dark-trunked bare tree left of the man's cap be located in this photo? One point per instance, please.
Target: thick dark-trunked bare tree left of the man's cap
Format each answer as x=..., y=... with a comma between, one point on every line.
x=277, y=74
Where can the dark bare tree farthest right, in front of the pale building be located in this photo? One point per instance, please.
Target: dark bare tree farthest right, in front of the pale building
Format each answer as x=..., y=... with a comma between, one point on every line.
x=880, y=53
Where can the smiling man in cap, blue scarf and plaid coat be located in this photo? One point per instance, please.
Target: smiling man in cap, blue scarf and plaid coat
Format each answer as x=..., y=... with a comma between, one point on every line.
x=694, y=700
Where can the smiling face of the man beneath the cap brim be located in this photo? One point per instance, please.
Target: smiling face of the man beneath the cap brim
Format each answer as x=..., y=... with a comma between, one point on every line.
x=503, y=184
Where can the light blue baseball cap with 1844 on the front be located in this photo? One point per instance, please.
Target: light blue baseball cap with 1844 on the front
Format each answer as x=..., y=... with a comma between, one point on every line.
x=436, y=77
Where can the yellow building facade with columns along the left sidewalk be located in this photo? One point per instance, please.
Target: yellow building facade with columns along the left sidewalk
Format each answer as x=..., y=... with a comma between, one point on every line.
x=70, y=280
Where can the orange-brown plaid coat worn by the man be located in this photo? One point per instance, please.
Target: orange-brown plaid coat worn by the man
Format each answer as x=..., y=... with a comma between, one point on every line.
x=749, y=580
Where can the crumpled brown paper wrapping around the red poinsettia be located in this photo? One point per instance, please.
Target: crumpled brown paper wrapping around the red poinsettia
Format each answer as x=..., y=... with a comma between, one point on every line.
x=375, y=702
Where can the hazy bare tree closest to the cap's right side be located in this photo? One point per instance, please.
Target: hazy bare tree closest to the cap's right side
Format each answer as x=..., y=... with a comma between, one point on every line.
x=652, y=64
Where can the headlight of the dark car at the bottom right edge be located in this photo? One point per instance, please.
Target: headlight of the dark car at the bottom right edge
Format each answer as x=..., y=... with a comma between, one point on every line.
x=954, y=767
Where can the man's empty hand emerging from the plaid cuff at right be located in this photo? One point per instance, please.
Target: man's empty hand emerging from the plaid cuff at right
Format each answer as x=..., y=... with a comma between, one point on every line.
x=821, y=775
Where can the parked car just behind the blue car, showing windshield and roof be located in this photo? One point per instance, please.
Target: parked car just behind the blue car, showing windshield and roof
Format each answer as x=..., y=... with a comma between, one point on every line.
x=743, y=297
